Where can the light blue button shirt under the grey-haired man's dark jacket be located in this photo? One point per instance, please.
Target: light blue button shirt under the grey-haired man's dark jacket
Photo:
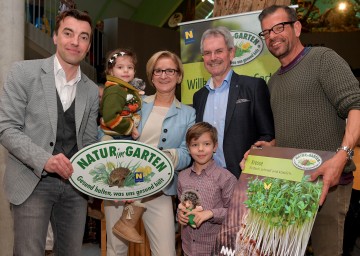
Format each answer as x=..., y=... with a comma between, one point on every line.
x=215, y=112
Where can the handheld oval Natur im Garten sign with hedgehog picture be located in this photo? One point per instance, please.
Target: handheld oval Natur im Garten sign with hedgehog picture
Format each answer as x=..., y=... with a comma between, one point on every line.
x=121, y=170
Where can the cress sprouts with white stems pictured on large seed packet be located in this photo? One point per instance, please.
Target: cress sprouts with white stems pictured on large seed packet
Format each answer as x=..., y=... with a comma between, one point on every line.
x=281, y=215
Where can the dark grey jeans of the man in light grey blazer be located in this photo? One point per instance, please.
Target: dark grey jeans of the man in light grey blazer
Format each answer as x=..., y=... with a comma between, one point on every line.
x=53, y=199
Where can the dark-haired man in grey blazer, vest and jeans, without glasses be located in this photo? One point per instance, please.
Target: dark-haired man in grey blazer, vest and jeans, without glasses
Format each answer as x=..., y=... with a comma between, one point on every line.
x=48, y=111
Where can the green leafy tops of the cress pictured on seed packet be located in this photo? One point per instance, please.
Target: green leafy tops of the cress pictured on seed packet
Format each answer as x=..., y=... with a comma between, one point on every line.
x=281, y=202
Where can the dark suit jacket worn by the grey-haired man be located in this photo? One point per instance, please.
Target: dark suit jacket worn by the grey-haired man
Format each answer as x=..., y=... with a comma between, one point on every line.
x=248, y=117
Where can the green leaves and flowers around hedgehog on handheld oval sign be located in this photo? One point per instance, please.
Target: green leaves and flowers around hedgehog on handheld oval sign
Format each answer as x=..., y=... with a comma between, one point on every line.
x=101, y=173
